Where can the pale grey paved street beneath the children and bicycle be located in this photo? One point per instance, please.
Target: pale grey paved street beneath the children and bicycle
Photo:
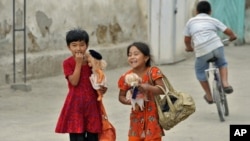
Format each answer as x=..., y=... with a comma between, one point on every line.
x=32, y=116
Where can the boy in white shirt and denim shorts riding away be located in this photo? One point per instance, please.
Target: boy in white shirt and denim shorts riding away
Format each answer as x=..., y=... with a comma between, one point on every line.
x=201, y=31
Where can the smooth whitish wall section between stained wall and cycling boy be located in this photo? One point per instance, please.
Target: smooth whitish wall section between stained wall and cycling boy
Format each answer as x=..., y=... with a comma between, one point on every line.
x=166, y=23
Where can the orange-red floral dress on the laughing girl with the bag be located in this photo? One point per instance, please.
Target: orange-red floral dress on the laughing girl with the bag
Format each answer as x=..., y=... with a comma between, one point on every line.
x=144, y=124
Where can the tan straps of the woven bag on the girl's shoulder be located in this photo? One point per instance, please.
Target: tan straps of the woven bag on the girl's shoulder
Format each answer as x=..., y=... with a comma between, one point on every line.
x=168, y=86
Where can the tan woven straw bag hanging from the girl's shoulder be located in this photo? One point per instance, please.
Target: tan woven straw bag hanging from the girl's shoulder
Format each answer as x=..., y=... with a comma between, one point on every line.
x=174, y=106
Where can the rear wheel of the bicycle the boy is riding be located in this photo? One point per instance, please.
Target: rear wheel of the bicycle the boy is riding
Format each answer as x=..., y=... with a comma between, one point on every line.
x=218, y=101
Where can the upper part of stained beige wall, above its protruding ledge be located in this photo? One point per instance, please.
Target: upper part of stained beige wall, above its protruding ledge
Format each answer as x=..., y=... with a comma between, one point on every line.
x=107, y=21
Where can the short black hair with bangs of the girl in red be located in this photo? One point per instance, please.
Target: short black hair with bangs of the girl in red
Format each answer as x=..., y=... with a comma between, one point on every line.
x=77, y=34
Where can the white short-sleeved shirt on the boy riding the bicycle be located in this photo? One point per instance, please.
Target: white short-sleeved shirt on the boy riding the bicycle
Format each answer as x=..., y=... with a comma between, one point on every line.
x=203, y=29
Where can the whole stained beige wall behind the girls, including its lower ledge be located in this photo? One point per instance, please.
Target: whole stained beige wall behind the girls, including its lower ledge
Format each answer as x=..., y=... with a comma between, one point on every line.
x=108, y=22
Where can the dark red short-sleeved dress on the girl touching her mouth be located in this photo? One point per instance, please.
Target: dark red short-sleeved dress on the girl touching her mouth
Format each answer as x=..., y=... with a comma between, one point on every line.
x=81, y=111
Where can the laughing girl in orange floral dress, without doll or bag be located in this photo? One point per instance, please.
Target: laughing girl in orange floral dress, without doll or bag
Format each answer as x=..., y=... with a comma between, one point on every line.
x=144, y=124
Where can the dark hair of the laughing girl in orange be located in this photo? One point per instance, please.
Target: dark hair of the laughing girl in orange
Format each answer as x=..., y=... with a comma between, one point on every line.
x=144, y=48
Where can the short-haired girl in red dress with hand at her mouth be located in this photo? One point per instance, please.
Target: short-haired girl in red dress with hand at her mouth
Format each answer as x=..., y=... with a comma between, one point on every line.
x=81, y=114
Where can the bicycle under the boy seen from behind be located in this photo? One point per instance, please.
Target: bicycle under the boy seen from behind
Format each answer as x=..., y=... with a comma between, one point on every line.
x=218, y=94
